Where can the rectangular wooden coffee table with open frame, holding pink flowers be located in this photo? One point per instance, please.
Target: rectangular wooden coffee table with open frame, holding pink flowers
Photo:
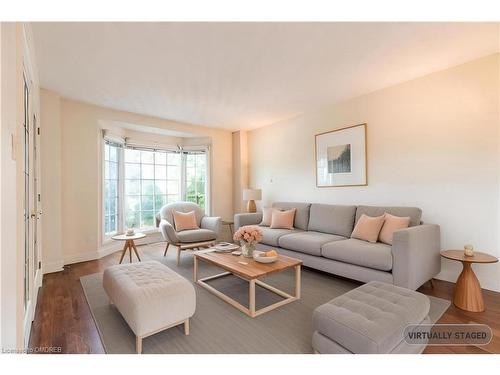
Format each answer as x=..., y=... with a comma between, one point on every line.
x=251, y=271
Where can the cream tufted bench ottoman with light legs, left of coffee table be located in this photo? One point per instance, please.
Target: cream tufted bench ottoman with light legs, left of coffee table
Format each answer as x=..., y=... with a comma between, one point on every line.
x=150, y=296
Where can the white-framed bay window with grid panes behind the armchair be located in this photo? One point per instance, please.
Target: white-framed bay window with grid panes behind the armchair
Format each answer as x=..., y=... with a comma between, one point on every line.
x=138, y=181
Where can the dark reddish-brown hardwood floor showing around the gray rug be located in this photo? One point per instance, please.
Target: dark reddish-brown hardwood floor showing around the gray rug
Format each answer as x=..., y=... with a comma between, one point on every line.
x=63, y=318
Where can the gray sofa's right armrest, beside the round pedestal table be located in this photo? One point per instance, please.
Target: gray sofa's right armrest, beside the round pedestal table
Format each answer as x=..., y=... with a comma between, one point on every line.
x=415, y=254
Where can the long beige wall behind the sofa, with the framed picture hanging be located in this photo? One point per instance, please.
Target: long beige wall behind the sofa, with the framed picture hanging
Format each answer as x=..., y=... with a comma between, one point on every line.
x=432, y=142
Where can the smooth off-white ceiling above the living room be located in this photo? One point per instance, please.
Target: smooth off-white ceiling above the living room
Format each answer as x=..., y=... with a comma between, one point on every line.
x=244, y=75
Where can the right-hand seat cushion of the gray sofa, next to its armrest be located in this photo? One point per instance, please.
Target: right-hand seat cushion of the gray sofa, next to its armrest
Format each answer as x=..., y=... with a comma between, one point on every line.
x=372, y=255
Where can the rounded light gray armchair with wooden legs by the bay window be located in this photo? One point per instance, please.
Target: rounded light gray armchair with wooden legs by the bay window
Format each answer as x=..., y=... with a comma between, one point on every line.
x=206, y=235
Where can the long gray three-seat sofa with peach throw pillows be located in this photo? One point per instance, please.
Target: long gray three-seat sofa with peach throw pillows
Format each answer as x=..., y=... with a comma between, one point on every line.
x=321, y=239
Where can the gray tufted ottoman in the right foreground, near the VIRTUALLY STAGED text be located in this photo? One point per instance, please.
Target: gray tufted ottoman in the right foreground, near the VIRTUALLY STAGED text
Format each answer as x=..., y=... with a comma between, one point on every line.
x=369, y=319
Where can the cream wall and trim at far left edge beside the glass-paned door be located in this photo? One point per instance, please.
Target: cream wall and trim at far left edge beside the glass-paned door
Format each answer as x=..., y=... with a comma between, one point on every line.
x=16, y=56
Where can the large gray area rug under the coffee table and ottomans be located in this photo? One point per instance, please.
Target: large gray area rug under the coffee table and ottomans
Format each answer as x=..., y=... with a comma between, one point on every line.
x=218, y=327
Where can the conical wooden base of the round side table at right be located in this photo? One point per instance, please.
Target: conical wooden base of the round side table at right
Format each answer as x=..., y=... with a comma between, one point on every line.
x=468, y=294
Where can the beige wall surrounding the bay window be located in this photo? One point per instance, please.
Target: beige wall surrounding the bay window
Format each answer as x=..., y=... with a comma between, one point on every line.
x=80, y=143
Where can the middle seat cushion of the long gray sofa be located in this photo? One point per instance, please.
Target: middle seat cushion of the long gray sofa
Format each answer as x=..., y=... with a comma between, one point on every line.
x=307, y=242
